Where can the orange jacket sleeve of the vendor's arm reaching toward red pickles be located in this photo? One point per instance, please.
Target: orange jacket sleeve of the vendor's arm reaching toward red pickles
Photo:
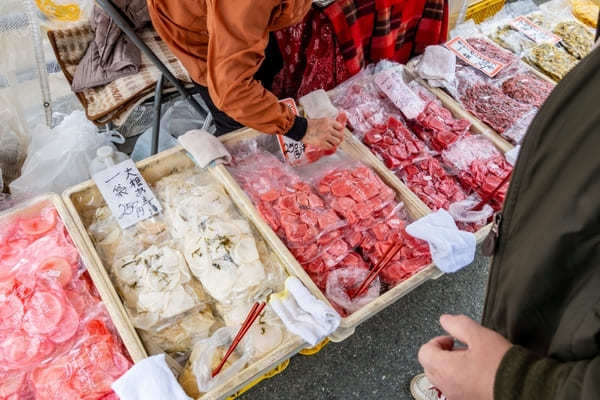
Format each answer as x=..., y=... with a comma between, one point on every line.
x=238, y=36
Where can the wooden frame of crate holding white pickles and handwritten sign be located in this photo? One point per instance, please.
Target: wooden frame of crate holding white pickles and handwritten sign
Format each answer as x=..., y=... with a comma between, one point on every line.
x=82, y=201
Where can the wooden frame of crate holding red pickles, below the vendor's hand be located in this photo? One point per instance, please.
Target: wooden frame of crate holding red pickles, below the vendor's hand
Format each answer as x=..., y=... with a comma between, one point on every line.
x=414, y=206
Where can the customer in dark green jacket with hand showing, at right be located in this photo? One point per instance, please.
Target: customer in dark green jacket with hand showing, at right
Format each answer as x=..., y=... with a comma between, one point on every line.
x=540, y=334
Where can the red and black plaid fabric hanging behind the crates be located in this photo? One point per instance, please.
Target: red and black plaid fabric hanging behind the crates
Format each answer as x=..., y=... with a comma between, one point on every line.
x=373, y=30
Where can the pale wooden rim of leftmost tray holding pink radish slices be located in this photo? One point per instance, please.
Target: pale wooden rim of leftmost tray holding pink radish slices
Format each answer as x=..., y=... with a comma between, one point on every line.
x=109, y=297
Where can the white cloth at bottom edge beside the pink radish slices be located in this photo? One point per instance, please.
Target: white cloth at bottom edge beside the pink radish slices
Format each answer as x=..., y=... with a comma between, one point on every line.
x=150, y=379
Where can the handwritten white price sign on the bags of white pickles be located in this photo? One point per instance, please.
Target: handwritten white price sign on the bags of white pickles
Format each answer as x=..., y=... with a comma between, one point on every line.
x=127, y=193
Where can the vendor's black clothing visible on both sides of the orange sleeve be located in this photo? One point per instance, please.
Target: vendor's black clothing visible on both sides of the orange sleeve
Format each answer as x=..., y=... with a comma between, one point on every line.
x=270, y=67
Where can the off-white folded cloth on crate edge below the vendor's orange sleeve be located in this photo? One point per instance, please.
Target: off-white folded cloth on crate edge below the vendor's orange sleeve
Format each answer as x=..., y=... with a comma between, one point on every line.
x=204, y=147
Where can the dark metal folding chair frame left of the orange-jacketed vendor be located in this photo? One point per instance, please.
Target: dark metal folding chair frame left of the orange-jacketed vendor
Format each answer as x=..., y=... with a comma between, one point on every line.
x=126, y=26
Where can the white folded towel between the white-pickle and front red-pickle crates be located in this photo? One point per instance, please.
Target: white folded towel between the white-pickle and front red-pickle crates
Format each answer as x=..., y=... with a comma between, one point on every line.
x=303, y=314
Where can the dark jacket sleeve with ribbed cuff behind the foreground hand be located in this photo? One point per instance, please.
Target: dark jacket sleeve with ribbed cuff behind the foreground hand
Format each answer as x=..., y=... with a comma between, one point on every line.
x=523, y=375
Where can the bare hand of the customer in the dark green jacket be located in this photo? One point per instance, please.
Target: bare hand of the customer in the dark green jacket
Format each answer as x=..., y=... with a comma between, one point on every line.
x=464, y=373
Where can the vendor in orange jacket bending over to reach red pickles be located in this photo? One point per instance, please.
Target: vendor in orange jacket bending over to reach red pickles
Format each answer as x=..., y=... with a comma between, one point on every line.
x=229, y=50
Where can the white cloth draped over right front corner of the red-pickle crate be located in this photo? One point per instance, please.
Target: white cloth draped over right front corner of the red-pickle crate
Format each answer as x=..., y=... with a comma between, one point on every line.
x=451, y=249
